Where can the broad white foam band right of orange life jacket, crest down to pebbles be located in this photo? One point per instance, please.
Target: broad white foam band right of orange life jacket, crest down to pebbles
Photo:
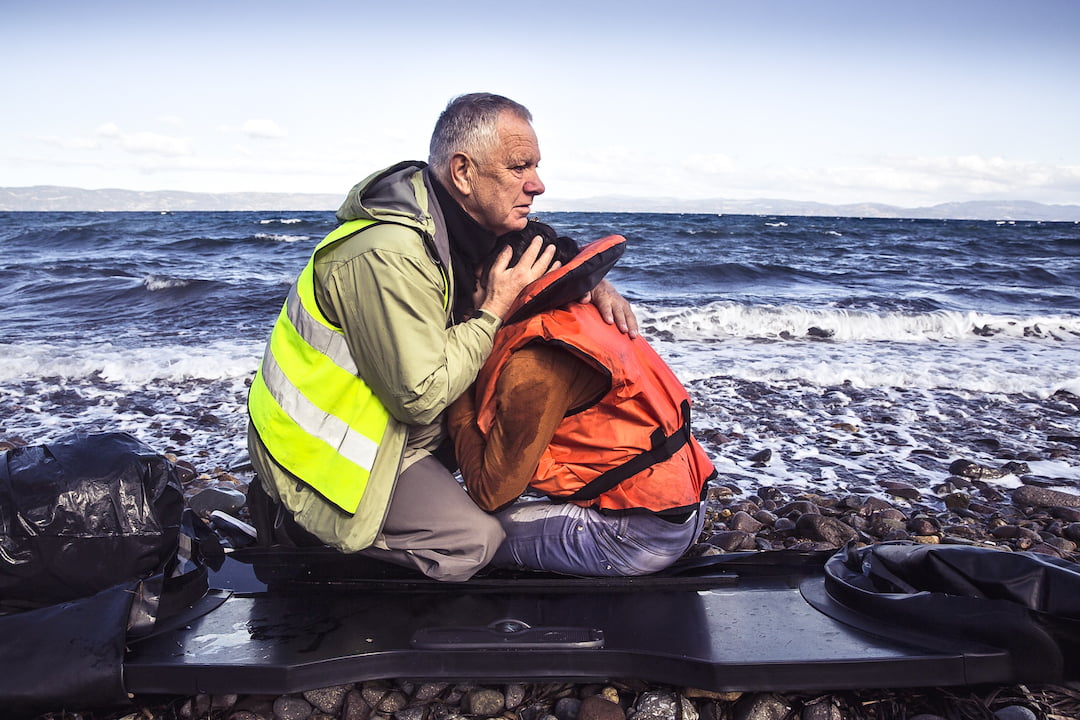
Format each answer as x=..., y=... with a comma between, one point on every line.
x=832, y=347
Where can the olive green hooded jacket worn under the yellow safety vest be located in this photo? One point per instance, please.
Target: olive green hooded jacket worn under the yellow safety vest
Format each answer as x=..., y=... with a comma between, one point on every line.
x=389, y=290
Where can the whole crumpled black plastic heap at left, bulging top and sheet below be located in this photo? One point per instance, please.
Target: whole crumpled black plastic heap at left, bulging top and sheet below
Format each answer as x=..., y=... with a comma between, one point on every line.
x=89, y=527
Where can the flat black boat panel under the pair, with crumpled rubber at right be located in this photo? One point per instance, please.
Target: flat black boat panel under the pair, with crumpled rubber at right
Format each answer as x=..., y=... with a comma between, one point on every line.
x=883, y=617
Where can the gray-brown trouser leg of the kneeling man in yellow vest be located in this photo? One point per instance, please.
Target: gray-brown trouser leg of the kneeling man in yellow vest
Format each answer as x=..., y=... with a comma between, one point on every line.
x=434, y=525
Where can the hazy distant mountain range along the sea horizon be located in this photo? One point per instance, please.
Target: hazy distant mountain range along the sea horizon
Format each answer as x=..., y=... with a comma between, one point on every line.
x=56, y=199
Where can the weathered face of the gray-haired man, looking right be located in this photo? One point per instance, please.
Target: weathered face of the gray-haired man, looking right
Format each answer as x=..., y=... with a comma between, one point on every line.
x=505, y=183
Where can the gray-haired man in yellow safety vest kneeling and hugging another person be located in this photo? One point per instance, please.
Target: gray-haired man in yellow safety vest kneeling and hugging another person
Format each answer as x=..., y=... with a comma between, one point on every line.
x=376, y=339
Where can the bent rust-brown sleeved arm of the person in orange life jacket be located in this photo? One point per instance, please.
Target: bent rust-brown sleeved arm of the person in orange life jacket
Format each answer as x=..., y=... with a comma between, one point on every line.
x=538, y=386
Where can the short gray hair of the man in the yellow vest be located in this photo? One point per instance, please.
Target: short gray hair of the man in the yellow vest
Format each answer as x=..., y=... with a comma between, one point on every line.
x=469, y=125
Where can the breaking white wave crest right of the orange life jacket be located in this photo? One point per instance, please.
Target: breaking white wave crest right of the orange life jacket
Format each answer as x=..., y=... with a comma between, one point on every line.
x=732, y=320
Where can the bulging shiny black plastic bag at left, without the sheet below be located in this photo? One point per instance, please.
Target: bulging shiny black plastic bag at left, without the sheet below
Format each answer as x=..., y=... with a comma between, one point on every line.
x=84, y=514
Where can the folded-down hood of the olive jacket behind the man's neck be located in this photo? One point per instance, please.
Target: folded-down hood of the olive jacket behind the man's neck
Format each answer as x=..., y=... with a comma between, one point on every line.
x=397, y=194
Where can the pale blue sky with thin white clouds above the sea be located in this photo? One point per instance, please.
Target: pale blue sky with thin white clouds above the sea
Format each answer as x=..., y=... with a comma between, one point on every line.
x=910, y=103
